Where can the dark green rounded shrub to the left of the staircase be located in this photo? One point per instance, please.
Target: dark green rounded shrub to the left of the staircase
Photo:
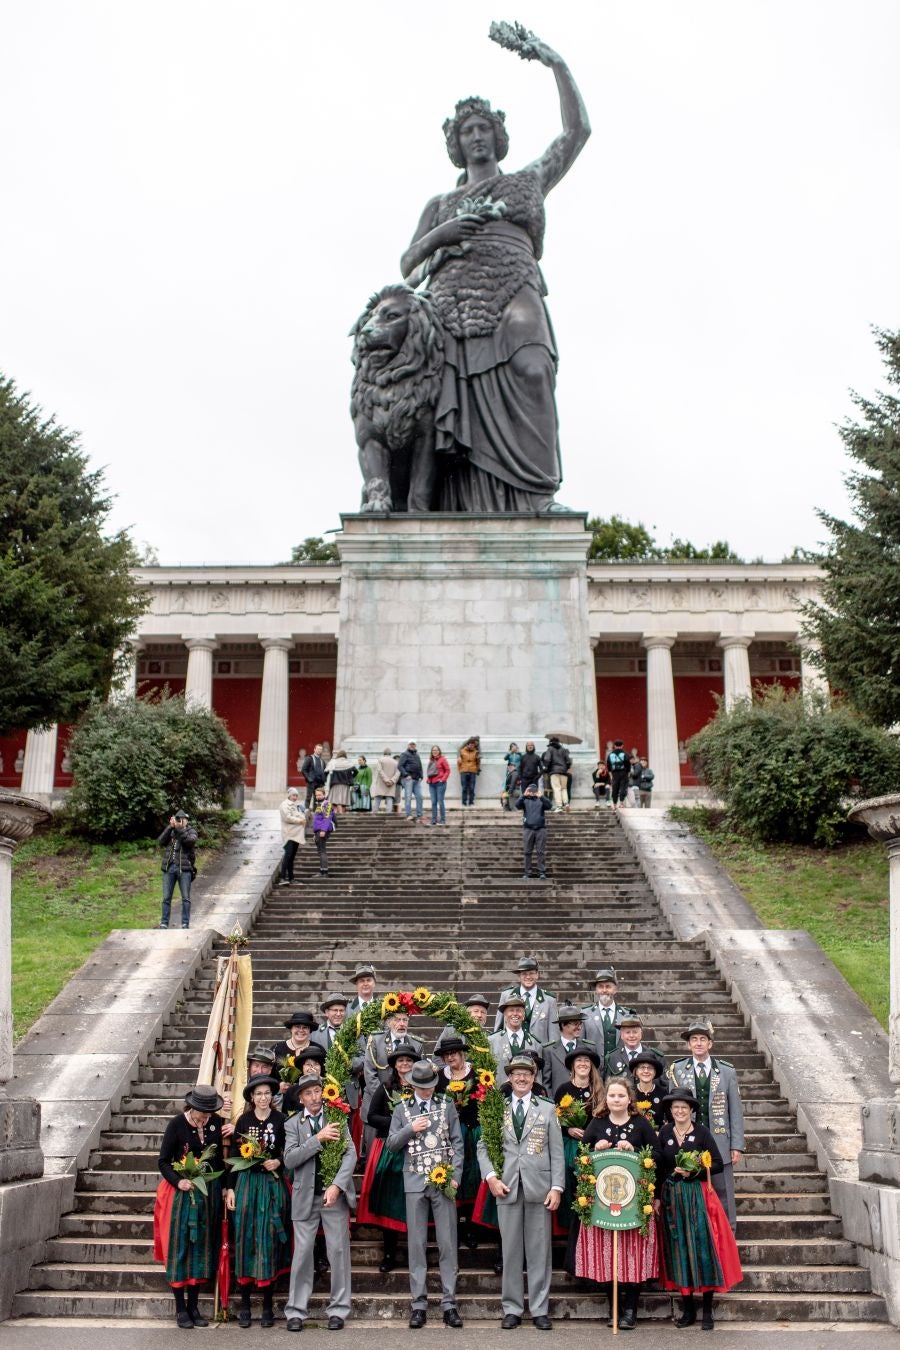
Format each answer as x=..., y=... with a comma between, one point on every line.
x=137, y=761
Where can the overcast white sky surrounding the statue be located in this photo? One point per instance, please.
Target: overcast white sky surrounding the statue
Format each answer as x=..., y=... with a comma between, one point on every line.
x=199, y=198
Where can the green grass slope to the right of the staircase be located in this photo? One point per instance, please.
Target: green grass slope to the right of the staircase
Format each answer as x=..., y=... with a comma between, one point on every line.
x=840, y=896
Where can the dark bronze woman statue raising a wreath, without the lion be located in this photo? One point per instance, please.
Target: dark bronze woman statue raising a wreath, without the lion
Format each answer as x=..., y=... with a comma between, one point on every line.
x=478, y=249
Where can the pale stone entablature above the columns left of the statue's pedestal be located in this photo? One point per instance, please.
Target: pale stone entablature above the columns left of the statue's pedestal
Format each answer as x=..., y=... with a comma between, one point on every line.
x=227, y=604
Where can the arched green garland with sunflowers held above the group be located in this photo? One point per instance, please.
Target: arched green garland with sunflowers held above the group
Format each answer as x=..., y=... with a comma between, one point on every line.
x=443, y=1008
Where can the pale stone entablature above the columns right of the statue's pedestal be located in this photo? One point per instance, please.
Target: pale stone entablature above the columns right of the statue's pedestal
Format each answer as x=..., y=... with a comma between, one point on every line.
x=760, y=601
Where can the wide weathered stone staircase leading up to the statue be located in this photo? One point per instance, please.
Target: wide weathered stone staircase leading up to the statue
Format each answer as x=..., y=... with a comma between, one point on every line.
x=447, y=908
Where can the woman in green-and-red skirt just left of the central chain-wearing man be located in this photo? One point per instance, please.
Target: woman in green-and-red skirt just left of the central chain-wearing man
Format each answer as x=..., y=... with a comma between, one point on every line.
x=383, y=1199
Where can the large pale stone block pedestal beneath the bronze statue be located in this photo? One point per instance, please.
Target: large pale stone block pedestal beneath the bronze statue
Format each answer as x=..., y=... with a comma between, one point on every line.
x=466, y=626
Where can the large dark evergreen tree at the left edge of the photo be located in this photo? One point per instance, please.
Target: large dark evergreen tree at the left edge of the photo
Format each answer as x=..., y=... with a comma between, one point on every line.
x=67, y=595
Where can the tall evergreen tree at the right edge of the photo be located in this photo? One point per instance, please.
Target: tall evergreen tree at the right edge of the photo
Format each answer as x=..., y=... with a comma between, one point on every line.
x=857, y=624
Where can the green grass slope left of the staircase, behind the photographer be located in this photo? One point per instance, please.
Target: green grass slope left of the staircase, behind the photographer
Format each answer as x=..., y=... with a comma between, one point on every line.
x=67, y=898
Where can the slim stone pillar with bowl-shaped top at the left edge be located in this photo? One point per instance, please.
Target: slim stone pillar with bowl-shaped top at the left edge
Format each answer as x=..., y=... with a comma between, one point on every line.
x=21, y=1156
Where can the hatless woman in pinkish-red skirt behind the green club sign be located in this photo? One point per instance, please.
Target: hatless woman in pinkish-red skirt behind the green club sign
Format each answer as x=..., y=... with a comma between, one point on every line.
x=619, y=1125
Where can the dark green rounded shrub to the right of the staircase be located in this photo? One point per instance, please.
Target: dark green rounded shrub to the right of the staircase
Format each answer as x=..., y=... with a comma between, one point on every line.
x=785, y=767
